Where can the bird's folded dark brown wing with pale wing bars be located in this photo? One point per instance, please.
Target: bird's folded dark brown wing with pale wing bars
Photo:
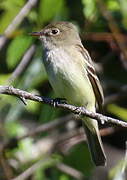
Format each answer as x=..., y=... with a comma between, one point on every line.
x=92, y=76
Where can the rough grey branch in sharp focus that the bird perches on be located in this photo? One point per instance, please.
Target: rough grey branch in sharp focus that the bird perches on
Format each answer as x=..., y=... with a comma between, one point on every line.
x=77, y=110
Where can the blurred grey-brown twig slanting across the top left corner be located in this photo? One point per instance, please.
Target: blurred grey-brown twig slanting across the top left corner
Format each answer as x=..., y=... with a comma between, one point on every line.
x=16, y=21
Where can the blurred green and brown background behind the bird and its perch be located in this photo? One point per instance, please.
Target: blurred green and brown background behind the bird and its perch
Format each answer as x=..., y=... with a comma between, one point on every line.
x=39, y=142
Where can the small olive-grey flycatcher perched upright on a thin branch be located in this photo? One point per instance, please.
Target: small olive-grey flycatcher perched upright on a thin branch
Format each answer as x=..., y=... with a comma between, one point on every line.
x=72, y=76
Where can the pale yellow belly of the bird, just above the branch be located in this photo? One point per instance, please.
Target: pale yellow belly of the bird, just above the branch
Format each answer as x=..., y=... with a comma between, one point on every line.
x=73, y=86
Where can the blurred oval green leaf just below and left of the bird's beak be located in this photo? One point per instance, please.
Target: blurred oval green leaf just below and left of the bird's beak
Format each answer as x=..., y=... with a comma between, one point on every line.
x=16, y=50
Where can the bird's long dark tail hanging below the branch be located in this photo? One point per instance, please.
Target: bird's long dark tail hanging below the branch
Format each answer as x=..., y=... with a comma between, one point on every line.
x=94, y=141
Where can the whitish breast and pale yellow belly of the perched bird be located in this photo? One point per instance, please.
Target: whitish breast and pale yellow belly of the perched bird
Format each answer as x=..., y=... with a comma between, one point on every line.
x=67, y=76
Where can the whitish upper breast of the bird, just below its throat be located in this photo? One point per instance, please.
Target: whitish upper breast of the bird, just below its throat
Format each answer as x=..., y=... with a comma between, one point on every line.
x=59, y=64
